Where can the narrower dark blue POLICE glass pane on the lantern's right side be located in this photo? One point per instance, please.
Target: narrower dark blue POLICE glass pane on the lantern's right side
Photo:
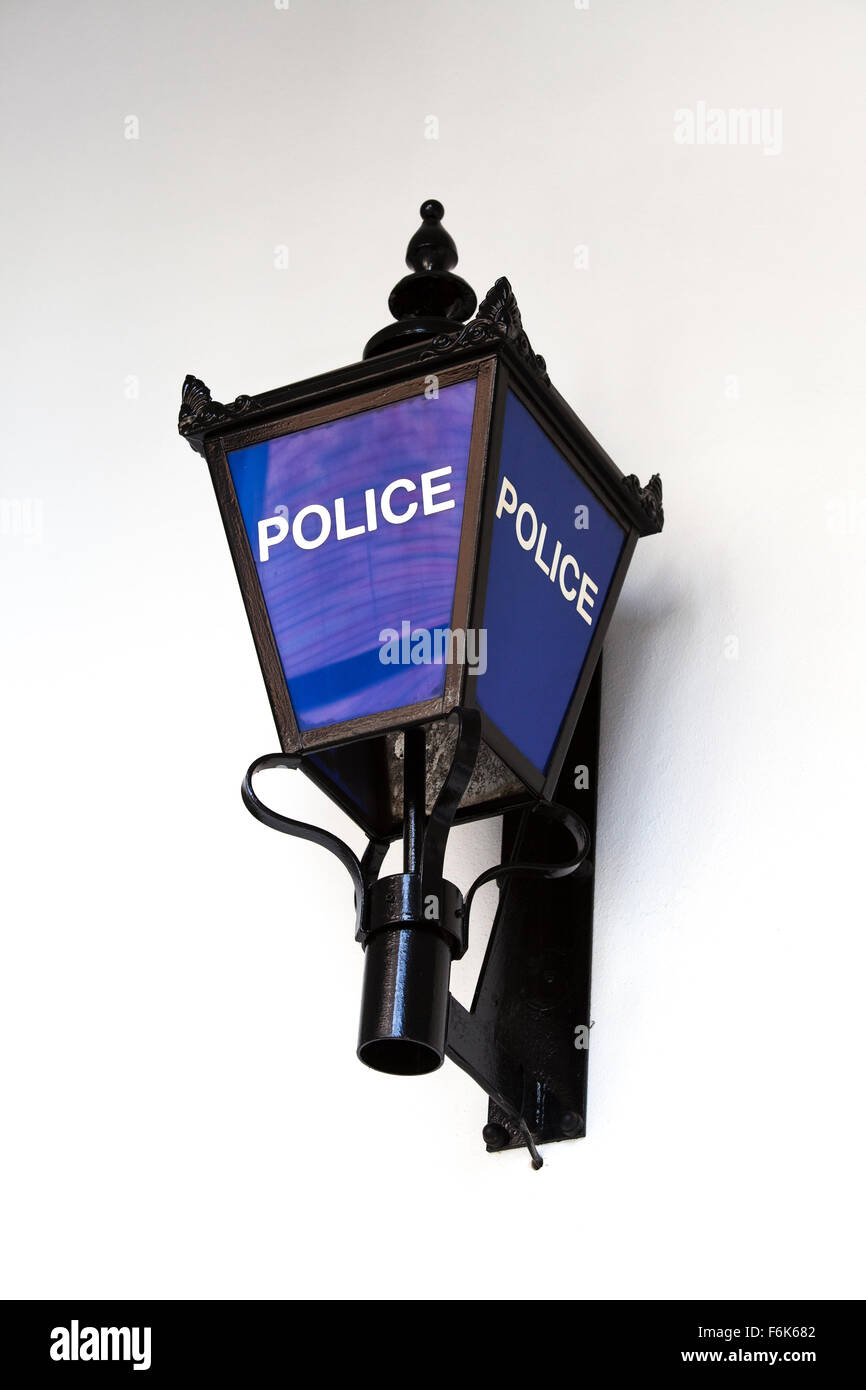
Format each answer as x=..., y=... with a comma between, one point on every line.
x=555, y=551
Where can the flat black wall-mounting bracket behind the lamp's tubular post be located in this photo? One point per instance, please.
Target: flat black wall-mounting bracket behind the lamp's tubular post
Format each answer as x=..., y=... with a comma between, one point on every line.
x=526, y=1039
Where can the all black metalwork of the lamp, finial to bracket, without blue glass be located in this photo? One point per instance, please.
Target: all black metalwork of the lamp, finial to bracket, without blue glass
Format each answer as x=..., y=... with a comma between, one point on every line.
x=518, y=1042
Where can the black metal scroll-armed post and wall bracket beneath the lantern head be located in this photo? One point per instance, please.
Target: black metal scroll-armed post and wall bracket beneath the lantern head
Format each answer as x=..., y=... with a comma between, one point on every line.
x=518, y=1040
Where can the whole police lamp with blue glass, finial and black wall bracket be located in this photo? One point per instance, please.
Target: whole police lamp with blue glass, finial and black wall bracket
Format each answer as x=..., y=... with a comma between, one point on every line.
x=430, y=547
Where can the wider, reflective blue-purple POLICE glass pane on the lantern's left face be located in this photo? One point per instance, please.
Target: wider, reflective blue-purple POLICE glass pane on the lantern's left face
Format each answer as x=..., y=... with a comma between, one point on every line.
x=355, y=528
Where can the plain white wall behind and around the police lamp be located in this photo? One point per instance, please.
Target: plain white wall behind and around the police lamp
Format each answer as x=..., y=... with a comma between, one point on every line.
x=183, y=1110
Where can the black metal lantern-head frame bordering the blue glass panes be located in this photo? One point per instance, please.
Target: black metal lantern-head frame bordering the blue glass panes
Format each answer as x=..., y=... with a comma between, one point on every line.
x=496, y=351
